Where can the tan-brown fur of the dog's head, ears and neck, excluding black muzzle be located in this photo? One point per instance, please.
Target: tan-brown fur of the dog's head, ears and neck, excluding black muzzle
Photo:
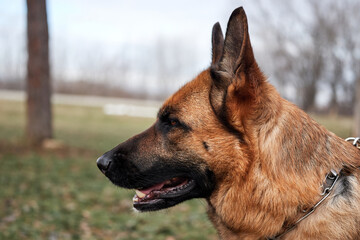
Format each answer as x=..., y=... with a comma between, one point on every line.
x=269, y=158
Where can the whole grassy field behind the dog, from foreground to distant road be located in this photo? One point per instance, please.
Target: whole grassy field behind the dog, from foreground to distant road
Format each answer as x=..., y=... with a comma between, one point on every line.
x=60, y=194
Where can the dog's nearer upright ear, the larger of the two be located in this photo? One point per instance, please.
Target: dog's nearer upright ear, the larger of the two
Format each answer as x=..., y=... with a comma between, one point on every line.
x=237, y=69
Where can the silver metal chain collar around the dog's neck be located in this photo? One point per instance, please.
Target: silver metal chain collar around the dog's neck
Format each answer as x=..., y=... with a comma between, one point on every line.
x=328, y=185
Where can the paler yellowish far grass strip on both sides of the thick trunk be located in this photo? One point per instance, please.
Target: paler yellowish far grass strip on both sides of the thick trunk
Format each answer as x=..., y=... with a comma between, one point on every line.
x=83, y=127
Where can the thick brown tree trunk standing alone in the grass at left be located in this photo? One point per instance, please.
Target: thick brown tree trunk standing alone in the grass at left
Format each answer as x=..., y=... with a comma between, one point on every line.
x=39, y=117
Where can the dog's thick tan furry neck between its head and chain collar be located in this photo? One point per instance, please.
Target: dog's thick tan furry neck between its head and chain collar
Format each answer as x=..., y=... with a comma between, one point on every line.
x=290, y=142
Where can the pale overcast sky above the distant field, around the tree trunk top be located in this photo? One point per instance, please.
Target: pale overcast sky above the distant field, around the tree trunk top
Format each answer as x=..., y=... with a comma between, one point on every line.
x=87, y=36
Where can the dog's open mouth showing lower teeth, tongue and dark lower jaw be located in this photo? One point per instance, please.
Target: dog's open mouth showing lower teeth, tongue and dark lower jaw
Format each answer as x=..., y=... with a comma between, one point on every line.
x=162, y=194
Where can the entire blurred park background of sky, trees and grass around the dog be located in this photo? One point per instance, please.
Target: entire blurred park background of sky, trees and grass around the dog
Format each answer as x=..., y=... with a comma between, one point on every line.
x=78, y=77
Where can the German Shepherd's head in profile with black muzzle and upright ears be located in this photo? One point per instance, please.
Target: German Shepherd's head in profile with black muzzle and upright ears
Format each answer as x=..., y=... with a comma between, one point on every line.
x=201, y=137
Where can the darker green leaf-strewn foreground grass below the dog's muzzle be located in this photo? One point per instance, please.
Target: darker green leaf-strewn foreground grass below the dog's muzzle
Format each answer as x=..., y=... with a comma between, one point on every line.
x=68, y=198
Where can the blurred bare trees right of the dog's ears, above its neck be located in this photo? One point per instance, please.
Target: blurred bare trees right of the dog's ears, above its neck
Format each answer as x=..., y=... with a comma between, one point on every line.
x=315, y=48
